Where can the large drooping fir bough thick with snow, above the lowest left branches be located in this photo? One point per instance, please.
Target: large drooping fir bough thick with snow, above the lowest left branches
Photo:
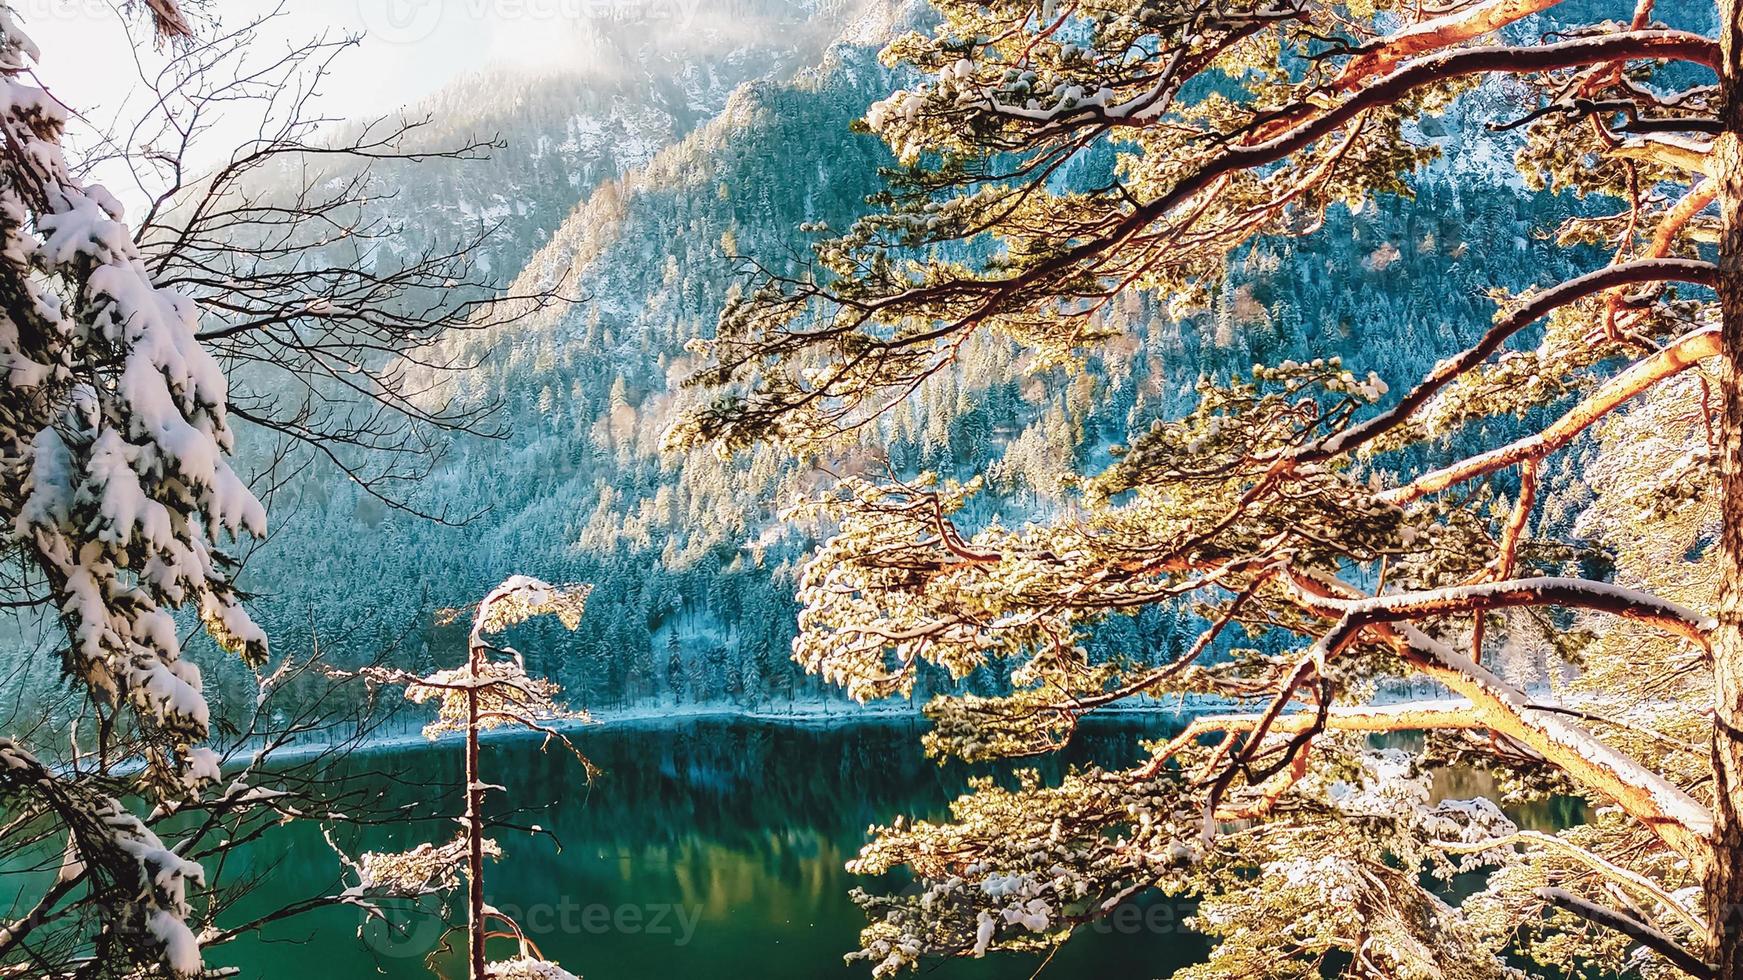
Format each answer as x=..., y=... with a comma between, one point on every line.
x=116, y=479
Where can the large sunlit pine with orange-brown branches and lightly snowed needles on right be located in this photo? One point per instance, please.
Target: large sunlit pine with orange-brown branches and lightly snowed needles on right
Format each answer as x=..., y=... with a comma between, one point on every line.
x=1334, y=538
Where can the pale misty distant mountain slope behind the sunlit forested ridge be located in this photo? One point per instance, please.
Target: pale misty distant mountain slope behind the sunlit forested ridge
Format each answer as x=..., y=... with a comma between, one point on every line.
x=625, y=90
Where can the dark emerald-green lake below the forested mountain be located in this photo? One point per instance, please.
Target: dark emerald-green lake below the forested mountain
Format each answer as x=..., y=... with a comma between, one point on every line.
x=709, y=848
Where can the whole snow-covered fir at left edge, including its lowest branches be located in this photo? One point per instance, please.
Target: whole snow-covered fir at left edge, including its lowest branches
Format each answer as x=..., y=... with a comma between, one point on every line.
x=118, y=496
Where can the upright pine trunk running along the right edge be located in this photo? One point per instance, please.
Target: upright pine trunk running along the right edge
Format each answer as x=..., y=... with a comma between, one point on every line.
x=1725, y=871
